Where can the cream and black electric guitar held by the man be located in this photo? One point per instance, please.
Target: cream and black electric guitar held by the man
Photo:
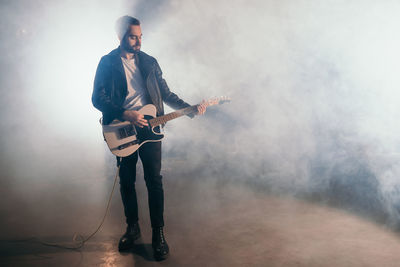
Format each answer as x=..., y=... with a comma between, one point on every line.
x=123, y=138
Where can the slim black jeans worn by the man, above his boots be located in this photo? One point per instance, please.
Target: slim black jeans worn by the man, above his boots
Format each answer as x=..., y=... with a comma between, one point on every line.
x=150, y=155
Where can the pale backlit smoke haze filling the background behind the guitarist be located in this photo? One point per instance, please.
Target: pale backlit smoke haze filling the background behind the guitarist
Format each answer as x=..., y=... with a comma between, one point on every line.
x=314, y=89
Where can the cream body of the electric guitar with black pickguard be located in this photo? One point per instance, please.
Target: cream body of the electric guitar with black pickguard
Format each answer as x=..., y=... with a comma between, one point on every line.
x=123, y=138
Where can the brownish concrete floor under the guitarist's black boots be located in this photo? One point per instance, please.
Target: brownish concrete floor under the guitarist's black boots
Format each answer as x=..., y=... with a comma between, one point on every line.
x=209, y=223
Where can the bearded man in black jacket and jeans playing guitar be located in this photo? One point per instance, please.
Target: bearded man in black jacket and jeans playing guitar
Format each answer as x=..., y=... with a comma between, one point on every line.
x=126, y=80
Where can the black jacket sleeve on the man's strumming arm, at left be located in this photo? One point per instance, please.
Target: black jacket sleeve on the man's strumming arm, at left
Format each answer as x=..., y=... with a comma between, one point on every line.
x=103, y=88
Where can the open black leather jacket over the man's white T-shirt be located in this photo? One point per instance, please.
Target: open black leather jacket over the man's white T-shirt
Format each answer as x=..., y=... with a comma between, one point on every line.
x=110, y=86
